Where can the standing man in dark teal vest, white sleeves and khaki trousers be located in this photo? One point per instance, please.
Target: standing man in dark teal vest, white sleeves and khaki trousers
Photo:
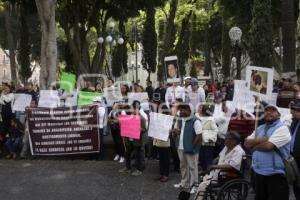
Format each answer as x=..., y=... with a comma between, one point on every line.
x=187, y=139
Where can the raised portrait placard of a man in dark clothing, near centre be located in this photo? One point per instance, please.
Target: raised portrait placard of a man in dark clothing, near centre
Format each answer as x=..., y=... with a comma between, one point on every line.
x=172, y=70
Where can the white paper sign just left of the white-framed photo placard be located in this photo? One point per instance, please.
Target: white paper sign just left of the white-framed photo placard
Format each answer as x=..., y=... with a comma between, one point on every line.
x=242, y=97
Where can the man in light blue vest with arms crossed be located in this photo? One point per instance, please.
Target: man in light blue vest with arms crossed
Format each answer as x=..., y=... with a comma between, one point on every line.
x=269, y=143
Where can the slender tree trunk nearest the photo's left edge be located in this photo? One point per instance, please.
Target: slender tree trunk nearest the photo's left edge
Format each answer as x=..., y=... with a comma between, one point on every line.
x=10, y=40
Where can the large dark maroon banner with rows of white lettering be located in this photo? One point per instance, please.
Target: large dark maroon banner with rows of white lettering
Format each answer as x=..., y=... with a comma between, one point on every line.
x=63, y=131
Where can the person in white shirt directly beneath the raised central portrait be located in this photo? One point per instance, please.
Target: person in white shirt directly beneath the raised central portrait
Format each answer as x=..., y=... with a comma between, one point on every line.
x=174, y=92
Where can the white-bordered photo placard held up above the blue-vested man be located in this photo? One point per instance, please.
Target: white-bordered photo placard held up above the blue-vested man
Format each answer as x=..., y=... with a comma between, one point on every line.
x=260, y=81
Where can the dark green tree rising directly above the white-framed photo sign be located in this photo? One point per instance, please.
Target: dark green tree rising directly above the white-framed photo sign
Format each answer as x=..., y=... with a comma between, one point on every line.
x=261, y=34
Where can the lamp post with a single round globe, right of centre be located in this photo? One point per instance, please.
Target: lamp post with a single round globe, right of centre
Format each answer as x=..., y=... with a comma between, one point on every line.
x=235, y=34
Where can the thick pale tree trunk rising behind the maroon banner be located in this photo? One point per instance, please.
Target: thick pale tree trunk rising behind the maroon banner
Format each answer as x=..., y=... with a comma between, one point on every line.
x=46, y=10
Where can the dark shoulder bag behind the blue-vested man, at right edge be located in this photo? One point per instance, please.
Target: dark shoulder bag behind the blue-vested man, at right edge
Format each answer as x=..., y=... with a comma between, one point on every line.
x=291, y=169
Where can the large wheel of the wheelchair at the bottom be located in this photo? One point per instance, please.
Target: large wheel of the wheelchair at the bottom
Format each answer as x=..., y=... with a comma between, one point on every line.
x=236, y=189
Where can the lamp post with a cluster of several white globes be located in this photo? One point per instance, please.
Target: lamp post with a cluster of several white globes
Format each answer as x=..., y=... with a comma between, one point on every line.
x=111, y=40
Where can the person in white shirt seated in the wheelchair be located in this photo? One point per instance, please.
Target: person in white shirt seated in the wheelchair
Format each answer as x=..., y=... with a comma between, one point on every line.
x=228, y=167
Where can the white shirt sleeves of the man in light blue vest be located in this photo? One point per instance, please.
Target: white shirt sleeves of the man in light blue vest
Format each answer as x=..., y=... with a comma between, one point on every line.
x=279, y=138
